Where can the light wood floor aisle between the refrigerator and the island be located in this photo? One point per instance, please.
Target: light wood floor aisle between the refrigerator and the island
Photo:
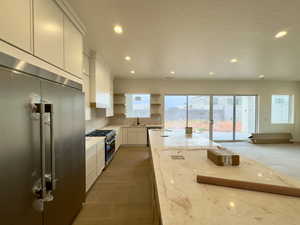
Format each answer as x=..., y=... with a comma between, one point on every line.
x=123, y=194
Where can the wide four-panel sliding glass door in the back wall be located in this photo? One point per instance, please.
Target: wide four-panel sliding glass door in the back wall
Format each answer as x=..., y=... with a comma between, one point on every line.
x=217, y=117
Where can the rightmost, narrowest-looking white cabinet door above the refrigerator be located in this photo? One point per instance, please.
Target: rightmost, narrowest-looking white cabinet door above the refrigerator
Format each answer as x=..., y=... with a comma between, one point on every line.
x=73, y=48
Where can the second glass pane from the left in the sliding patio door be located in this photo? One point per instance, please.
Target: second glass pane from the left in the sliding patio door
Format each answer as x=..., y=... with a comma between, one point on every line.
x=198, y=114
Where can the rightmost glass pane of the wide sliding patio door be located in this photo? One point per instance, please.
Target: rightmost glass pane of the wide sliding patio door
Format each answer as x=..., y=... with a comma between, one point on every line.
x=245, y=116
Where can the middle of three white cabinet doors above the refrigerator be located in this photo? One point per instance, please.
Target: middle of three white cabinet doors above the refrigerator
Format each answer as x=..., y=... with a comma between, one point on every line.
x=48, y=32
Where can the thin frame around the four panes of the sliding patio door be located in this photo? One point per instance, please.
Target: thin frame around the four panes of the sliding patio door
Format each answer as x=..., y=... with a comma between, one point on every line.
x=211, y=121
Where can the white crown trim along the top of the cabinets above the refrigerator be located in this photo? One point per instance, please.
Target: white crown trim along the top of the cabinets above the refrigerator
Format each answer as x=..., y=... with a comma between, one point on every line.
x=69, y=11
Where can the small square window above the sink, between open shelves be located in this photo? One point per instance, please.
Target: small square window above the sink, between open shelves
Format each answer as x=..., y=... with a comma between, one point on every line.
x=137, y=105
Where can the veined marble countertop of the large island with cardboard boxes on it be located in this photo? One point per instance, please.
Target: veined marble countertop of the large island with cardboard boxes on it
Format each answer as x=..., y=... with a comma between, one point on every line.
x=183, y=201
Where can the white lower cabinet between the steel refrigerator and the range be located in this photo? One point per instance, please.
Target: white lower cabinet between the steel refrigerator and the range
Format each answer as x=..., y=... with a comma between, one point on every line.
x=95, y=162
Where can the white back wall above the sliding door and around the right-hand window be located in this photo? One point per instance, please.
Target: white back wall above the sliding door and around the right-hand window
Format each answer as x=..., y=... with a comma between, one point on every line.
x=263, y=88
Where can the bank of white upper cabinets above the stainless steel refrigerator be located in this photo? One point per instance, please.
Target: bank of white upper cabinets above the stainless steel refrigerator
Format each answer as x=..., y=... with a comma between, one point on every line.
x=48, y=30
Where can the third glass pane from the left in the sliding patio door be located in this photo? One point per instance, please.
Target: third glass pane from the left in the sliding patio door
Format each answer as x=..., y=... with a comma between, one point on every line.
x=223, y=117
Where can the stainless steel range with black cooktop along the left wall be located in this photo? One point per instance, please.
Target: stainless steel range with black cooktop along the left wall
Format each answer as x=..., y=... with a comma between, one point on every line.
x=110, y=142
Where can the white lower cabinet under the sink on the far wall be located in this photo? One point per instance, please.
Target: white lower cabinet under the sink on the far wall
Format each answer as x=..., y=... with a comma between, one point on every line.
x=135, y=136
